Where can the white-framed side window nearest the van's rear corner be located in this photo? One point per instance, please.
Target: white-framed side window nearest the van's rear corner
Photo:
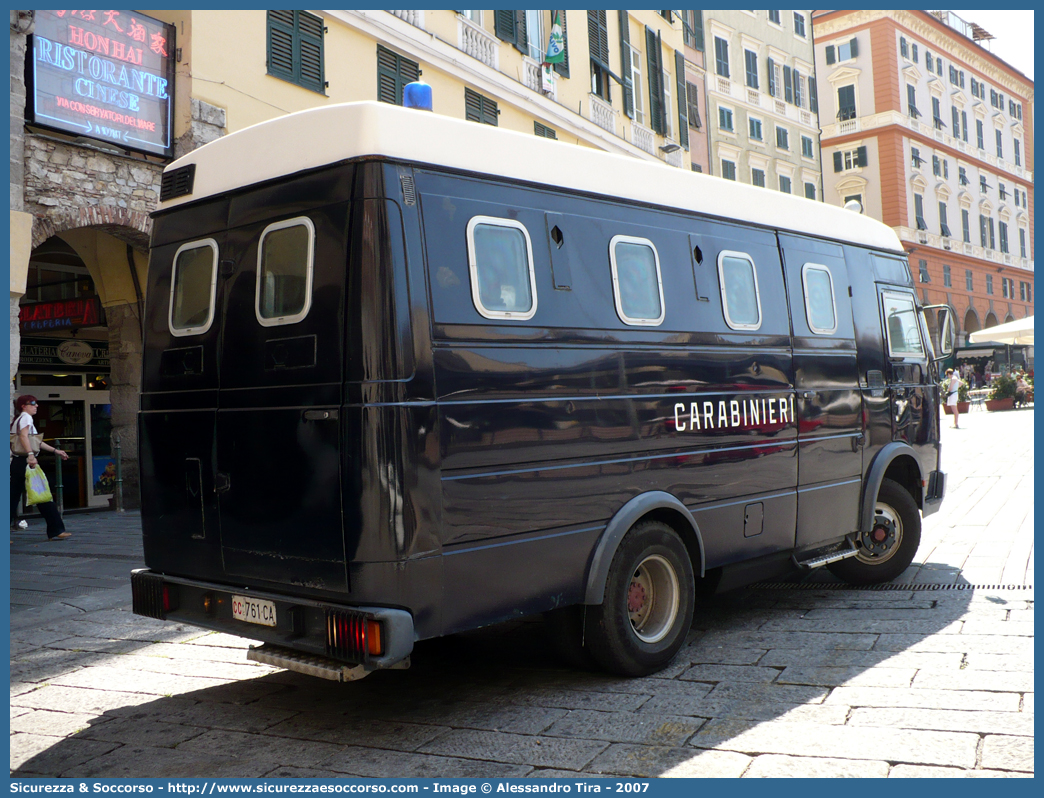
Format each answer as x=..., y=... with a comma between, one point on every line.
x=501, y=263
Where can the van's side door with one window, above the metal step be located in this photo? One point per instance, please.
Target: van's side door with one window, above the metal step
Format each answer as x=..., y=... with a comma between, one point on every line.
x=829, y=403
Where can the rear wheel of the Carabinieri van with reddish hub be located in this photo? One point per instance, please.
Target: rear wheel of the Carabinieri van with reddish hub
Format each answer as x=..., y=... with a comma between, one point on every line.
x=648, y=607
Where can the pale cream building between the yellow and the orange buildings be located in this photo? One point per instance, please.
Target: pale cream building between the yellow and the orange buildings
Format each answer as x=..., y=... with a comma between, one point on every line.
x=764, y=121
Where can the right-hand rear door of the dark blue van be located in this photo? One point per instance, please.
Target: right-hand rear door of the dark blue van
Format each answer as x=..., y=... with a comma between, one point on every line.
x=278, y=452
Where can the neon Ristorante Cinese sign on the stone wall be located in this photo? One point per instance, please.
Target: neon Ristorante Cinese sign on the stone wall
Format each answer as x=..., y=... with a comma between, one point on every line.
x=107, y=76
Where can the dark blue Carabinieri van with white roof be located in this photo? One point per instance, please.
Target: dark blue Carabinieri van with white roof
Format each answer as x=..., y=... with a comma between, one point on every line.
x=407, y=377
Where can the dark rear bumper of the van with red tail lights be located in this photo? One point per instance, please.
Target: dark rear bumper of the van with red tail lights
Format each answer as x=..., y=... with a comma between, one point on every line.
x=303, y=625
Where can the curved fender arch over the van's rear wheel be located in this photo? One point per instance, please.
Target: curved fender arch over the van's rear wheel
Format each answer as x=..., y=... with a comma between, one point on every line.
x=626, y=518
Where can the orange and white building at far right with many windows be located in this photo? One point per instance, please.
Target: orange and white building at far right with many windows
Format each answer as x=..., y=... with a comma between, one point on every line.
x=933, y=134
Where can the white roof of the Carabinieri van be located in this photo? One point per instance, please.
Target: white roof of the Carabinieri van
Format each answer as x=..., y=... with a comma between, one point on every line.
x=321, y=136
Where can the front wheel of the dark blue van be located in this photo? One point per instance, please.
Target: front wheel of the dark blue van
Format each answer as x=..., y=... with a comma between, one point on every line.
x=888, y=550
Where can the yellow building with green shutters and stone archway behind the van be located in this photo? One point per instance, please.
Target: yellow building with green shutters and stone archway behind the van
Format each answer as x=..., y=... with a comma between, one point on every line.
x=118, y=95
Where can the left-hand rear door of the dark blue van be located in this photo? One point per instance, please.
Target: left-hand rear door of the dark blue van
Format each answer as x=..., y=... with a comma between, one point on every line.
x=179, y=400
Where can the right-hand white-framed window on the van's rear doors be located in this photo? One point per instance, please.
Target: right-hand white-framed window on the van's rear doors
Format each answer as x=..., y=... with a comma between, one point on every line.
x=284, y=288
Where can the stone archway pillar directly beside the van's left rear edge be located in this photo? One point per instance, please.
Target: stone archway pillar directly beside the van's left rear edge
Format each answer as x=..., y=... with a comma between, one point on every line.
x=125, y=390
